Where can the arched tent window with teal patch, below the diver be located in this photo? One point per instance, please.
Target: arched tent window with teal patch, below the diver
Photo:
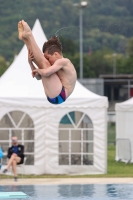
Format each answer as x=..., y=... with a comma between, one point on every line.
x=76, y=139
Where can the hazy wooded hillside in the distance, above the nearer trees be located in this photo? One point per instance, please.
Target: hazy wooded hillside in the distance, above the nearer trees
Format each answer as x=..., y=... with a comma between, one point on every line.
x=112, y=18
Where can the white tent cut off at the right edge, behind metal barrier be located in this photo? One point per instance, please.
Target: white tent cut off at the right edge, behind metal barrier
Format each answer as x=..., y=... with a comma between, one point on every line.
x=124, y=130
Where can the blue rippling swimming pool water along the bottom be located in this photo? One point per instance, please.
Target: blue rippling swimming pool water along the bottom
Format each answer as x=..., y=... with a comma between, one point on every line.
x=74, y=192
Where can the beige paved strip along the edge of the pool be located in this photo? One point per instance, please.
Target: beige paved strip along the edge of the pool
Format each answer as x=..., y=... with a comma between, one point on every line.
x=53, y=181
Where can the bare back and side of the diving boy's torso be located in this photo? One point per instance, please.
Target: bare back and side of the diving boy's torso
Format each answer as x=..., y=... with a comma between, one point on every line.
x=68, y=77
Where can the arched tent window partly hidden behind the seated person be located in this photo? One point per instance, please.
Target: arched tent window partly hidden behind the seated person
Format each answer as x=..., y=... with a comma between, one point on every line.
x=20, y=124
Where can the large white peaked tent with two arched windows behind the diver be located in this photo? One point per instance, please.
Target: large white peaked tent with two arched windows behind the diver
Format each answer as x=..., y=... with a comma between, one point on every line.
x=70, y=138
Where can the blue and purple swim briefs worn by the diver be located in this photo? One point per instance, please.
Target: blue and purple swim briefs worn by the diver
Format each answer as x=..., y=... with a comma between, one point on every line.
x=59, y=99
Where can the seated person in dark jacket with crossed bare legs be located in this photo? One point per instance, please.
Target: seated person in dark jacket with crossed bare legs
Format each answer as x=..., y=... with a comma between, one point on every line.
x=15, y=155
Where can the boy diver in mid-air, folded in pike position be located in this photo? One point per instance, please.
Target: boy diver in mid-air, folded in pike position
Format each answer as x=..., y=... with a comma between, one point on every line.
x=57, y=73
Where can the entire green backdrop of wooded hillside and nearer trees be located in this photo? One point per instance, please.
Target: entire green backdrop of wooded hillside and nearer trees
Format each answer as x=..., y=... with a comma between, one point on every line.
x=107, y=28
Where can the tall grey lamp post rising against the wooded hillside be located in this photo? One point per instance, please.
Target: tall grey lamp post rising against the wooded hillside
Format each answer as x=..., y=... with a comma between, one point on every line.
x=81, y=5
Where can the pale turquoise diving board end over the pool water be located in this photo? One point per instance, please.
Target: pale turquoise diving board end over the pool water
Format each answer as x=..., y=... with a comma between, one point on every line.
x=13, y=195
